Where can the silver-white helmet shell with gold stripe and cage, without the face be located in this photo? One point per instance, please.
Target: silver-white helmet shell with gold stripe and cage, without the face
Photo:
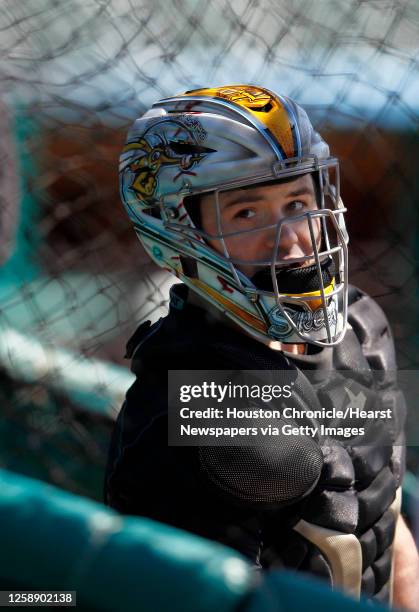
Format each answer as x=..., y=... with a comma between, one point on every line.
x=214, y=140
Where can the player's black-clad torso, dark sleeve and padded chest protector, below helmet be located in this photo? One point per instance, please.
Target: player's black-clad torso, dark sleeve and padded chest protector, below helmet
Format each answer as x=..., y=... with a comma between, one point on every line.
x=312, y=504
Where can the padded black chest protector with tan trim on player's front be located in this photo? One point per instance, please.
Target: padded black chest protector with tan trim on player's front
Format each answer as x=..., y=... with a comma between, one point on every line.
x=346, y=528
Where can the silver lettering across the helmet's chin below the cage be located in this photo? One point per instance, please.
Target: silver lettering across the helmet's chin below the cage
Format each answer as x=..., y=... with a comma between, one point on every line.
x=305, y=321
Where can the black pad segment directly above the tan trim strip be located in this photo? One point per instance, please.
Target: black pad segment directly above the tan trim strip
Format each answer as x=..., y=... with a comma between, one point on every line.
x=334, y=510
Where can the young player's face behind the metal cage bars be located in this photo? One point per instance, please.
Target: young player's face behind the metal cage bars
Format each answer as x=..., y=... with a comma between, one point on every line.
x=259, y=206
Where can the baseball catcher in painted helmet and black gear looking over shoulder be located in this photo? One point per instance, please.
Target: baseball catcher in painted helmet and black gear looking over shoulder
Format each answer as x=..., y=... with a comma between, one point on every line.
x=233, y=191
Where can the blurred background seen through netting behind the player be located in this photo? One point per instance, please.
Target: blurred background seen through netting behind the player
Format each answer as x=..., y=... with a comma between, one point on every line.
x=74, y=282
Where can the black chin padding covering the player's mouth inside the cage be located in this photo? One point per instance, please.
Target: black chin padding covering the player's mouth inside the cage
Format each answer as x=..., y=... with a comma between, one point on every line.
x=302, y=279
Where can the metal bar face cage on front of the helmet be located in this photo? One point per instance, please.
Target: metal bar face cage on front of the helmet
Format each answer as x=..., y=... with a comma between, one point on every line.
x=327, y=218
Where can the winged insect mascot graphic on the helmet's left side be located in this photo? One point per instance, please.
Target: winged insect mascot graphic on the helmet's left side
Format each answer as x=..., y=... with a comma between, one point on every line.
x=165, y=143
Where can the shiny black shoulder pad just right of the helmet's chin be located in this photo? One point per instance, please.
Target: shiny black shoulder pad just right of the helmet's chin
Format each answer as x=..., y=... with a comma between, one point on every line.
x=372, y=329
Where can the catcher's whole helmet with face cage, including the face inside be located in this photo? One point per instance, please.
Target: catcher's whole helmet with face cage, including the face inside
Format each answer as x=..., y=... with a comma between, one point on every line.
x=267, y=244
